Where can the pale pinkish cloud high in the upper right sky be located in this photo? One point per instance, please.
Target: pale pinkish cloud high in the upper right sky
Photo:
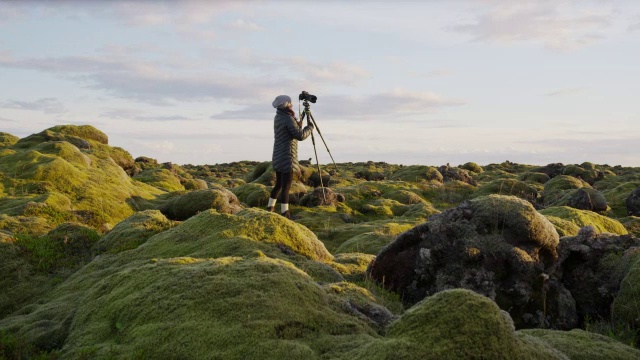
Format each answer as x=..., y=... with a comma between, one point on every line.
x=543, y=22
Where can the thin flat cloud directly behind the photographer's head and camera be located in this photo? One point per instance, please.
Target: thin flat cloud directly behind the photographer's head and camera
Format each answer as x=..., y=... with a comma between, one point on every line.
x=398, y=103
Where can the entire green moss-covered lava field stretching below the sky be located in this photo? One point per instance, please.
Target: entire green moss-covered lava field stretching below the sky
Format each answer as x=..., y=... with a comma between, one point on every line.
x=107, y=256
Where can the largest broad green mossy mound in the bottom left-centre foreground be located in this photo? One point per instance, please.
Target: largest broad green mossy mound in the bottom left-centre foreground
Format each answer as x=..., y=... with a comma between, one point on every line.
x=239, y=308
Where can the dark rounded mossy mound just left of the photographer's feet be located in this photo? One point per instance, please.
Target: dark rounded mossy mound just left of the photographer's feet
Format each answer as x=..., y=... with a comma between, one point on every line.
x=184, y=206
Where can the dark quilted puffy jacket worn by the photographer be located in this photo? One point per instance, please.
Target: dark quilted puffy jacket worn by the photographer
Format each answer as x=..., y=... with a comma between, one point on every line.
x=286, y=134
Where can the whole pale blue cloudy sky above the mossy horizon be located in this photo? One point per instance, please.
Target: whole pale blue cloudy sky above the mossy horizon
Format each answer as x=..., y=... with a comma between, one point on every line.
x=404, y=82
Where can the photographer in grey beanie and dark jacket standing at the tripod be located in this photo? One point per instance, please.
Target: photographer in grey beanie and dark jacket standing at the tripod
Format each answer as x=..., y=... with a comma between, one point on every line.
x=287, y=131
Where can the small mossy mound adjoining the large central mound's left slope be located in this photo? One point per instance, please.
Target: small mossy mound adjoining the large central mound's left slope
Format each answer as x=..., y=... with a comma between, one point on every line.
x=133, y=231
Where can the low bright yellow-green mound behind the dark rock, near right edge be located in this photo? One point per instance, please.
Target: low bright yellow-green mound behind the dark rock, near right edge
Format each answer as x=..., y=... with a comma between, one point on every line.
x=586, y=218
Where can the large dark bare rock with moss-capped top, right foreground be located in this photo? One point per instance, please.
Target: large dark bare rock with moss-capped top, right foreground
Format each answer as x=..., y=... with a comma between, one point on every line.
x=498, y=246
